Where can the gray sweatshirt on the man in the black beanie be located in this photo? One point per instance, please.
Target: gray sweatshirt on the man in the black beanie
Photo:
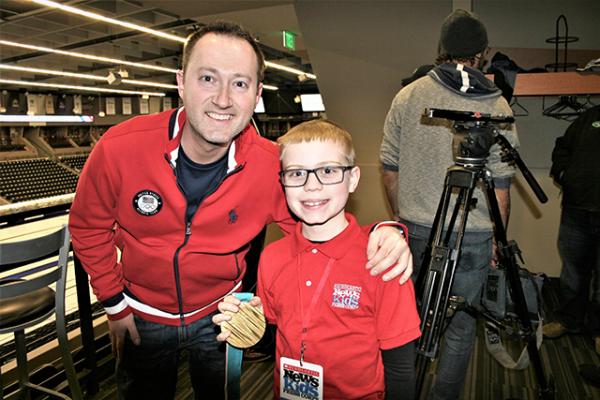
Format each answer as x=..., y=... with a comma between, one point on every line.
x=419, y=148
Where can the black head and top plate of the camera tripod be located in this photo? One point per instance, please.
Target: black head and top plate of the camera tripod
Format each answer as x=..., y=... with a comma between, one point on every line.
x=474, y=134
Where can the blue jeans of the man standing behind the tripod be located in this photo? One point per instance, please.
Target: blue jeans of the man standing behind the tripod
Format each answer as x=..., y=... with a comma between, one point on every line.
x=459, y=337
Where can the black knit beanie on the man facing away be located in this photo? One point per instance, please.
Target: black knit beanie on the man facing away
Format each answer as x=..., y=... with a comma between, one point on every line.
x=463, y=35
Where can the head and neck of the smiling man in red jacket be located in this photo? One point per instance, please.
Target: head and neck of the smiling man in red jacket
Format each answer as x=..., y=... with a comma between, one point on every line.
x=224, y=97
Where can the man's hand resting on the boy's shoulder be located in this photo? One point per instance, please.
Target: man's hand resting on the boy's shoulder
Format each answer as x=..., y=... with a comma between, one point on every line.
x=388, y=252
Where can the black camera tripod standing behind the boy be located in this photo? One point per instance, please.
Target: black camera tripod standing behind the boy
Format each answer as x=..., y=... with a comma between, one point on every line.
x=474, y=135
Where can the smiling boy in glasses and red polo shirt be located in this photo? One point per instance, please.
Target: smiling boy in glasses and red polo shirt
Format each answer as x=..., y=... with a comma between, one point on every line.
x=341, y=334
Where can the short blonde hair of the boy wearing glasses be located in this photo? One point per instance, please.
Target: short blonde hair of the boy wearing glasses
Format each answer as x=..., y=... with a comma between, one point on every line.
x=321, y=130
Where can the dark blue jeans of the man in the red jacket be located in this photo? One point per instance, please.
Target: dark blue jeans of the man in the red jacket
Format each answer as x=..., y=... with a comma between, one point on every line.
x=149, y=371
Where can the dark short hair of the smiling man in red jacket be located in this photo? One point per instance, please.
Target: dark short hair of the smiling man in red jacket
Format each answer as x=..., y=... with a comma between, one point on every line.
x=225, y=28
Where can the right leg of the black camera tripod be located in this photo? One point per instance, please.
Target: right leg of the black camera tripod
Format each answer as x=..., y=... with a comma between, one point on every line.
x=508, y=260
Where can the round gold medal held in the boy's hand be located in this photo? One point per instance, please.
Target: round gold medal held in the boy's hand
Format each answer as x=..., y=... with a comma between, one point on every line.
x=246, y=326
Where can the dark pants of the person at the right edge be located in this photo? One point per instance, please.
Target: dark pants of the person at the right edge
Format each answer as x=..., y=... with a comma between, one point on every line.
x=579, y=247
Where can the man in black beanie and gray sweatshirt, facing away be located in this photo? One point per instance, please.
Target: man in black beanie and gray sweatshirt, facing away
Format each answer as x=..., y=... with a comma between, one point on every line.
x=415, y=157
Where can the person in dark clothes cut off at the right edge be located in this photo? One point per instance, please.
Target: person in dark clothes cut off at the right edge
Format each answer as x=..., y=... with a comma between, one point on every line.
x=576, y=169
